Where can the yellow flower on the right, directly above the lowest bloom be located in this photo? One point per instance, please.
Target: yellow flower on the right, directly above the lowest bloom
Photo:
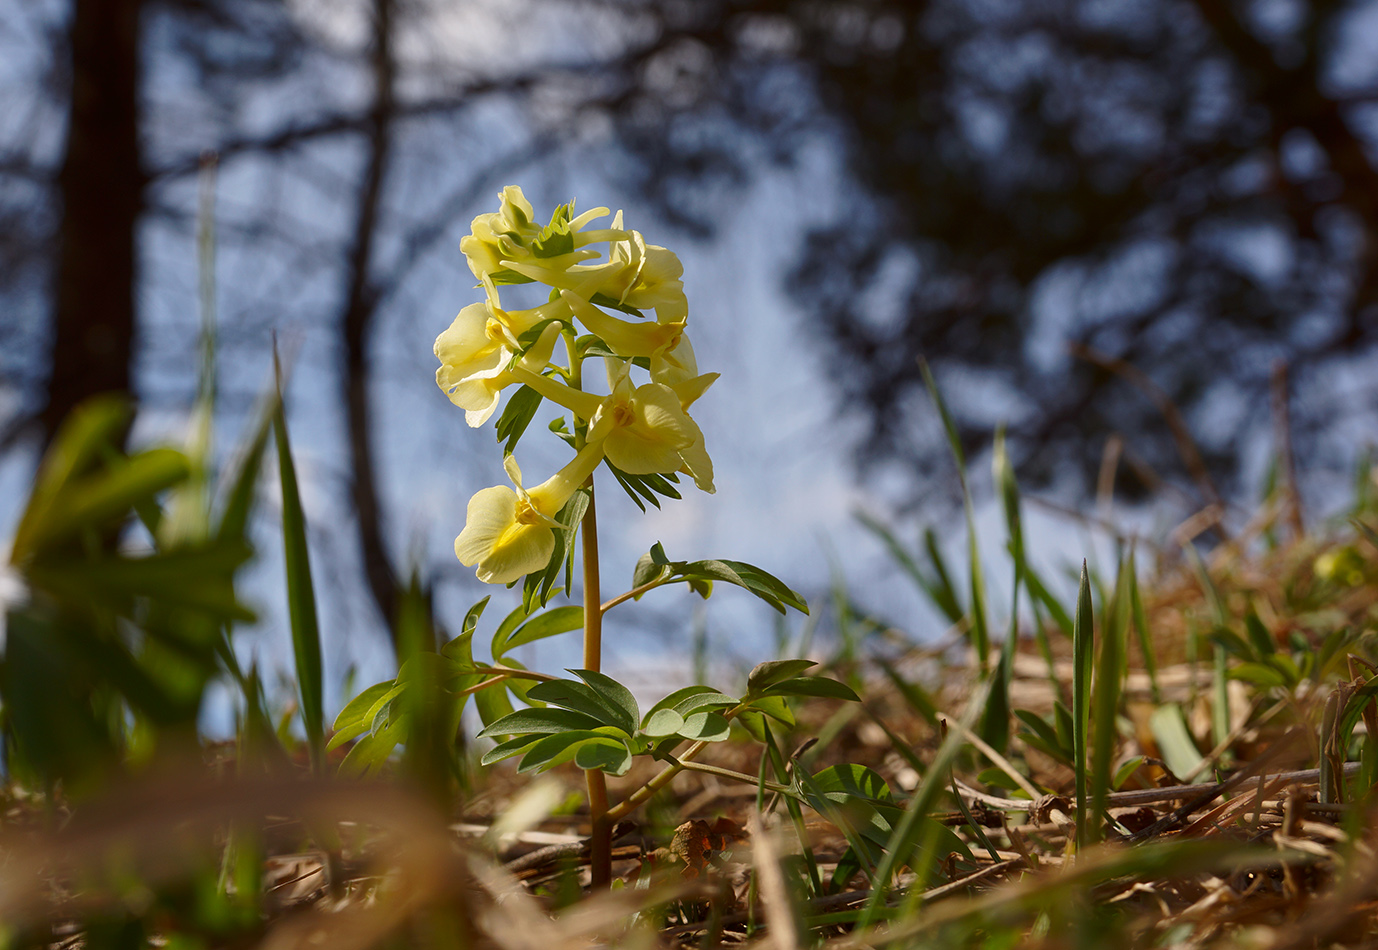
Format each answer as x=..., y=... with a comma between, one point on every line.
x=643, y=429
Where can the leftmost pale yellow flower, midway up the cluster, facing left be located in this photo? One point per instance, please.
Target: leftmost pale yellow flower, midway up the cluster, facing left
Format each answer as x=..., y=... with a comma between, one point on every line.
x=479, y=345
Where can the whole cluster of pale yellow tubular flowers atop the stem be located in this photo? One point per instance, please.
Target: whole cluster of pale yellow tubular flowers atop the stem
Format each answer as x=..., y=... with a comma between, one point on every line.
x=641, y=429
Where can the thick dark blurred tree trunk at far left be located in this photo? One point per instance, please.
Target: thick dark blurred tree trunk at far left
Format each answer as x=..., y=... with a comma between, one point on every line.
x=101, y=192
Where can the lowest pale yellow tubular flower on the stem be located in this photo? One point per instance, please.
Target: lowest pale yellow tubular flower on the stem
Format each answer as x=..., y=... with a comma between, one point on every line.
x=509, y=534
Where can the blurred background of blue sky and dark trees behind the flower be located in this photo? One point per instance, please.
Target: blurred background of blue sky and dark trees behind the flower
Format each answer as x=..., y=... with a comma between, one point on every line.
x=1143, y=235
